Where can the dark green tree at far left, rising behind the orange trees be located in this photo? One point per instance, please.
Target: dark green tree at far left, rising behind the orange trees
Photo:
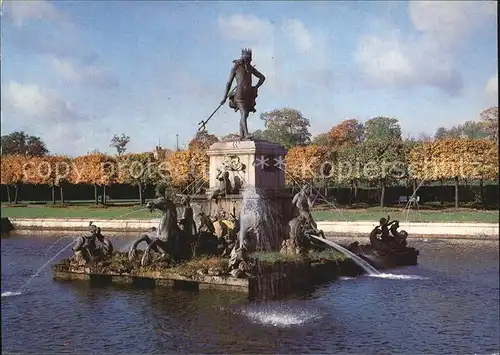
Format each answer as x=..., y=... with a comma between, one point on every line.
x=21, y=143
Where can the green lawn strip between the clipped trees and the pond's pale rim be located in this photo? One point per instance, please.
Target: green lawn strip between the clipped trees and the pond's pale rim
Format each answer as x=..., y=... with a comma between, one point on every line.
x=364, y=214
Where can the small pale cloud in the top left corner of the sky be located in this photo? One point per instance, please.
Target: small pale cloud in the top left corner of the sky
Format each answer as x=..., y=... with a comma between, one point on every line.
x=22, y=11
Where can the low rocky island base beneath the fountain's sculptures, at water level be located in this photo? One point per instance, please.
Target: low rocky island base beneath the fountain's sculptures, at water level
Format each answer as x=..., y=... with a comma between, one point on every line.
x=271, y=276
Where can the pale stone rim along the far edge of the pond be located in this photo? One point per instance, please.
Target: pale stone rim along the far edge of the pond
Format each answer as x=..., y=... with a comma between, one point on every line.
x=330, y=227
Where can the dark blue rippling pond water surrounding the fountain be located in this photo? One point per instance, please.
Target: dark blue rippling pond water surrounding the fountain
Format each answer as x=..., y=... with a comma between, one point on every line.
x=446, y=304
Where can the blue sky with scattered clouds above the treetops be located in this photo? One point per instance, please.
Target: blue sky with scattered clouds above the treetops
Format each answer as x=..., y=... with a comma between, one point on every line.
x=76, y=72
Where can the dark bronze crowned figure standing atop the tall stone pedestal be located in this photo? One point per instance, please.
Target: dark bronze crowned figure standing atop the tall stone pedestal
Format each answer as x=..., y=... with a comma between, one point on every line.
x=244, y=97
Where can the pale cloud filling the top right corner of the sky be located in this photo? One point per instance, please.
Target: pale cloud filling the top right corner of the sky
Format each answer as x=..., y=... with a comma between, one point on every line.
x=450, y=21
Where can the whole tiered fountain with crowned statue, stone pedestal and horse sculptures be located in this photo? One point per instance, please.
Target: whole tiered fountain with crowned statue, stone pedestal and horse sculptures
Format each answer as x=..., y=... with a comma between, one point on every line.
x=252, y=235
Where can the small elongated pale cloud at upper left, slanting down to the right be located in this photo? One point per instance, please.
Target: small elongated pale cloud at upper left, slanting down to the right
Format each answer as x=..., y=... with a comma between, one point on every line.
x=81, y=73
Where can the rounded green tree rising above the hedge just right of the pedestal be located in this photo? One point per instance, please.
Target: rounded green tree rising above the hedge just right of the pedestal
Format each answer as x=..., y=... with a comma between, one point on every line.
x=287, y=127
